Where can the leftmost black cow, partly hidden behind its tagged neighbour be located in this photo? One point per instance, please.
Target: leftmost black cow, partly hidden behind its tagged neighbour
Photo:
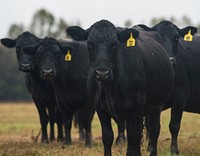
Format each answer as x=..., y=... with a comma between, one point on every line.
x=41, y=91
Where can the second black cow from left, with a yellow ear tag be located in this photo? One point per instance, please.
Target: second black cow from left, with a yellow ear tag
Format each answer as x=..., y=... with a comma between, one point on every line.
x=66, y=65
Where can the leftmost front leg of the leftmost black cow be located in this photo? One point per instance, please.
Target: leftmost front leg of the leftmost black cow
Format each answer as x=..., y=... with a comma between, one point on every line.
x=43, y=119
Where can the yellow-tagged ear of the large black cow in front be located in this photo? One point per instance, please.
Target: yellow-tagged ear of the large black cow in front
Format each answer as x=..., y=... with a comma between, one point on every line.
x=126, y=34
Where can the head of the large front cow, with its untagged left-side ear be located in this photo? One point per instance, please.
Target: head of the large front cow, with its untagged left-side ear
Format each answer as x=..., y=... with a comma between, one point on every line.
x=103, y=43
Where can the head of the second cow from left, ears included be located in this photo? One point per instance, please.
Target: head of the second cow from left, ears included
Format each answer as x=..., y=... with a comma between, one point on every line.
x=49, y=53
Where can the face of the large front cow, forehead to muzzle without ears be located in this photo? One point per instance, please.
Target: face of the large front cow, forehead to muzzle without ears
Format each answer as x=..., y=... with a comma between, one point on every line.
x=103, y=50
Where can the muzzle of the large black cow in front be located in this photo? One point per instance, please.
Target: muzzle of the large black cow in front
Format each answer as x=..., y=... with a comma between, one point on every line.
x=103, y=74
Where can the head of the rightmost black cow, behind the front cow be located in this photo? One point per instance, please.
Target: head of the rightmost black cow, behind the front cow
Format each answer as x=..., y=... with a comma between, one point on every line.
x=172, y=36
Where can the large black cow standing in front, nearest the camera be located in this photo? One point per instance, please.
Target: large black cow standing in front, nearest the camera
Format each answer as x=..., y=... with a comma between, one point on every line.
x=126, y=82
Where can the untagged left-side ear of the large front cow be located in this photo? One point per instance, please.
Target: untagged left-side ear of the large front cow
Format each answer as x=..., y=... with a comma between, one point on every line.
x=77, y=33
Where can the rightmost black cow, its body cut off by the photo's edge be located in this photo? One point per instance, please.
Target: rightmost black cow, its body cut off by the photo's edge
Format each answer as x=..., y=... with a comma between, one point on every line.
x=185, y=51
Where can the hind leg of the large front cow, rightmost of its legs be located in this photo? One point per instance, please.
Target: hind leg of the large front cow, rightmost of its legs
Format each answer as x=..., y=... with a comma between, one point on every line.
x=153, y=125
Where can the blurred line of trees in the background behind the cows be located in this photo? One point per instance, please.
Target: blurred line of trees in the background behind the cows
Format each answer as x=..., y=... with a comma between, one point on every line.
x=44, y=23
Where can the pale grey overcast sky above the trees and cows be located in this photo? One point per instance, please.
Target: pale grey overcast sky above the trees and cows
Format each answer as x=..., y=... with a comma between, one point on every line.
x=89, y=11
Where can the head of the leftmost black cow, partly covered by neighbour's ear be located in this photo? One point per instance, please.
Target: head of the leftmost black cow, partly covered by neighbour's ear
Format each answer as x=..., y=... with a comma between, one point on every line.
x=23, y=40
